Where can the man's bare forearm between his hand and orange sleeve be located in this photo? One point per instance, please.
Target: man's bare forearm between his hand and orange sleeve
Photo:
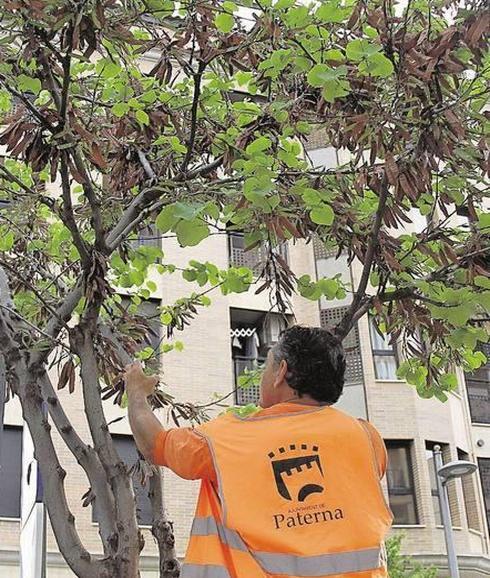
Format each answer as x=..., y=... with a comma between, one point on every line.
x=144, y=424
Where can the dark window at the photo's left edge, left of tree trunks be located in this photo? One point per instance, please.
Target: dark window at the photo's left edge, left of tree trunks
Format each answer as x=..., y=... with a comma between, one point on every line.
x=10, y=471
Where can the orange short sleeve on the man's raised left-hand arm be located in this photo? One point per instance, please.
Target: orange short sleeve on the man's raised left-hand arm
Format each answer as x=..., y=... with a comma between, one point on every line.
x=185, y=452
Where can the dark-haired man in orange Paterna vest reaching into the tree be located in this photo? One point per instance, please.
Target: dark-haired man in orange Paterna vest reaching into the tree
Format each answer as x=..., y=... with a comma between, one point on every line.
x=291, y=491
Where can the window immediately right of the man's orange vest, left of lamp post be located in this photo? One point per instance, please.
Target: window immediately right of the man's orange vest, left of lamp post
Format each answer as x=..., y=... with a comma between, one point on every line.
x=401, y=488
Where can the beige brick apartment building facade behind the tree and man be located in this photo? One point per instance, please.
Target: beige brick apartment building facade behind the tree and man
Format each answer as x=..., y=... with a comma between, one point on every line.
x=234, y=334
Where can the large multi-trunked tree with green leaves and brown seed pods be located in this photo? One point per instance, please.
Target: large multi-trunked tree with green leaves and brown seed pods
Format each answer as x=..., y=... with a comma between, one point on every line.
x=211, y=136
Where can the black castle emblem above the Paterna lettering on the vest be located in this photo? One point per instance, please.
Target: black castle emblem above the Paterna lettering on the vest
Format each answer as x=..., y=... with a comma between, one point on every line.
x=298, y=471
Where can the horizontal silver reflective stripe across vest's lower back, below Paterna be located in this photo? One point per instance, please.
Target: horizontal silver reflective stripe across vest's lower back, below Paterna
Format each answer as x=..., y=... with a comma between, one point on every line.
x=323, y=565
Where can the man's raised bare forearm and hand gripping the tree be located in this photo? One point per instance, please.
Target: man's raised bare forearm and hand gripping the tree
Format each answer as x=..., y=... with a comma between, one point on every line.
x=144, y=424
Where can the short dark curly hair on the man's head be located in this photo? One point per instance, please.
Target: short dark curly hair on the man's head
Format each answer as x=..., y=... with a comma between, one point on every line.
x=316, y=362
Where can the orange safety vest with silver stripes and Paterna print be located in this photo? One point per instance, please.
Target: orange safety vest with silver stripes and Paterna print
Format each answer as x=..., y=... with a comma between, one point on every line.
x=298, y=496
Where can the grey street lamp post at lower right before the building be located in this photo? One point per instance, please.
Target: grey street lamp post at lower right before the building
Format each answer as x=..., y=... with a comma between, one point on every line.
x=444, y=473
